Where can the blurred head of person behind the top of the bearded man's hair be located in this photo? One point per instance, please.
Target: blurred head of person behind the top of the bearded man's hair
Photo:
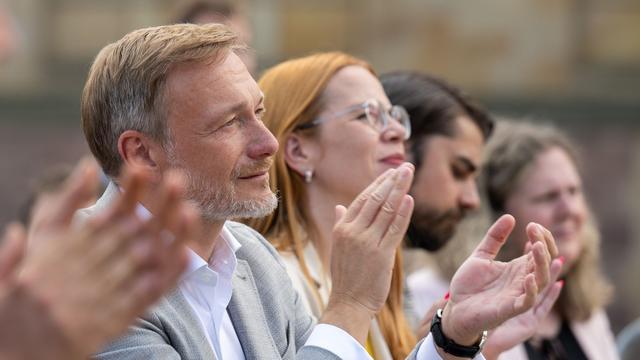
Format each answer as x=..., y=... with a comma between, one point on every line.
x=232, y=13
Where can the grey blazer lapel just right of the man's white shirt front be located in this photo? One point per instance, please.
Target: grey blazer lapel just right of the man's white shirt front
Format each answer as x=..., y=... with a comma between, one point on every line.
x=247, y=315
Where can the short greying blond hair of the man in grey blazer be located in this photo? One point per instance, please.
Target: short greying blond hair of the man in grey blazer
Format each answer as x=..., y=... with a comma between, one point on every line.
x=124, y=89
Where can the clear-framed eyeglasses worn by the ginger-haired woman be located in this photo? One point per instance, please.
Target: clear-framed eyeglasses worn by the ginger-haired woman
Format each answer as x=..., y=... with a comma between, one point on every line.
x=373, y=112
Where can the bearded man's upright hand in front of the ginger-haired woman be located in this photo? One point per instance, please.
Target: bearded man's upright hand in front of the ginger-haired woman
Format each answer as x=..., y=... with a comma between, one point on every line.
x=366, y=237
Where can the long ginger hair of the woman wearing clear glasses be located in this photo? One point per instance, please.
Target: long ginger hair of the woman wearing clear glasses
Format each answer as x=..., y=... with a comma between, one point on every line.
x=294, y=96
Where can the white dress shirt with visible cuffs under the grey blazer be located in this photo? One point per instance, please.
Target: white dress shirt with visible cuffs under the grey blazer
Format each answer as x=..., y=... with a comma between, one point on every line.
x=208, y=288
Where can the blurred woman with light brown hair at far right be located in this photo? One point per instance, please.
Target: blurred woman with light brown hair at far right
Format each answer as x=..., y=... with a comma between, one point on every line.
x=531, y=172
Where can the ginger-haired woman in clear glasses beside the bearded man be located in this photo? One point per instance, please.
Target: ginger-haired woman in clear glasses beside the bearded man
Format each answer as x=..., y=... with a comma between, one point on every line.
x=319, y=167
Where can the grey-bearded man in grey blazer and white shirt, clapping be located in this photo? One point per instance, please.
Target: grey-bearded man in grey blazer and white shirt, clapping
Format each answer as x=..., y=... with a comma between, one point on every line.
x=178, y=97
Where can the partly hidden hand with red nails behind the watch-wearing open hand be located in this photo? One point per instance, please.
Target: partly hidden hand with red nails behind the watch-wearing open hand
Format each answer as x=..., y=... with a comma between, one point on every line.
x=522, y=327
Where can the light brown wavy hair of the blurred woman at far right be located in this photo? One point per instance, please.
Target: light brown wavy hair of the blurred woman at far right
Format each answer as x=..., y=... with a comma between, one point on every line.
x=510, y=152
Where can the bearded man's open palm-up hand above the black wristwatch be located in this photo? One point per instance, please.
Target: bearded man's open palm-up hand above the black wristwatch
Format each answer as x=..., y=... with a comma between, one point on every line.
x=485, y=293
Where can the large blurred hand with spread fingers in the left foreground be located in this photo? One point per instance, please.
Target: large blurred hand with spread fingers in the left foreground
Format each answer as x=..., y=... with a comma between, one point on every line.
x=83, y=286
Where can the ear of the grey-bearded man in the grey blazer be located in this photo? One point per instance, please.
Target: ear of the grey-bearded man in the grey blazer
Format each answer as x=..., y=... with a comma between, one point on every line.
x=139, y=151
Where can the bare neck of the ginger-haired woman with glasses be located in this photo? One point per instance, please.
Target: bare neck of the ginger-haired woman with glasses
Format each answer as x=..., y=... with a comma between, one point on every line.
x=322, y=216
